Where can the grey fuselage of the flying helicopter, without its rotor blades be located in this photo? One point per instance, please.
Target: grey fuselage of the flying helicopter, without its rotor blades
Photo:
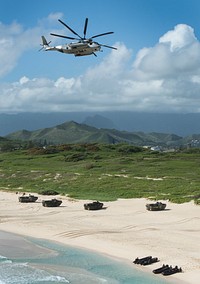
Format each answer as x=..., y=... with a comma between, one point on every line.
x=76, y=48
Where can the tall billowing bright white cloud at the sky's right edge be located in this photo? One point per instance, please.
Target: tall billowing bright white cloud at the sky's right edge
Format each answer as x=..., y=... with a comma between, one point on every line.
x=176, y=54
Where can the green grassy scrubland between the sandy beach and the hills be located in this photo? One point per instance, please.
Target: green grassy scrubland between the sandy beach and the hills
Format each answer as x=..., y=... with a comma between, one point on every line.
x=103, y=172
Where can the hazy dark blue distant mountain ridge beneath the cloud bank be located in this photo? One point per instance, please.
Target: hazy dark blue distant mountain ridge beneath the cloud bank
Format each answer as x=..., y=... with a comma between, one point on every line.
x=179, y=124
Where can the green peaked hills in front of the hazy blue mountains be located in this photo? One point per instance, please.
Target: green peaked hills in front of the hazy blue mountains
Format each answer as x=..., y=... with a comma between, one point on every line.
x=73, y=132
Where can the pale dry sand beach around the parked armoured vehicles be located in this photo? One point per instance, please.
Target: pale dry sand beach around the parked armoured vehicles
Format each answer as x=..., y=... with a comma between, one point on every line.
x=124, y=229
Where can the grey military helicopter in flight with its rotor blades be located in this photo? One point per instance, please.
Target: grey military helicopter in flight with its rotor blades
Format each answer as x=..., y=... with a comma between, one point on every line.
x=83, y=46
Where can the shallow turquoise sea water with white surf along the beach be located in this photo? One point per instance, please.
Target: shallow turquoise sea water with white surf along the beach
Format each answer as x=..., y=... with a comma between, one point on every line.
x=69, y=265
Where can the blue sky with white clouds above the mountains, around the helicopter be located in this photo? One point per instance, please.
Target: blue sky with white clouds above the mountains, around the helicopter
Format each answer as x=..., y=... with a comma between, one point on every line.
x=156, y=67
